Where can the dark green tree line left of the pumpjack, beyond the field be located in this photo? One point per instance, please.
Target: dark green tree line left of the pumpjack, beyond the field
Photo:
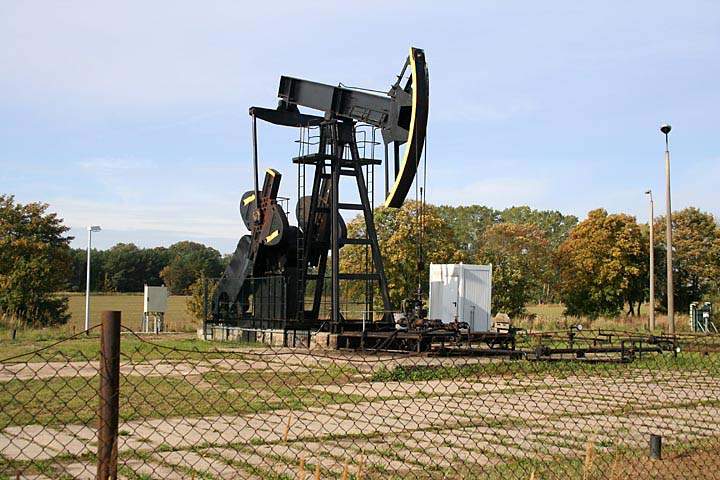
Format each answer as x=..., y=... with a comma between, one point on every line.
x=36, y=262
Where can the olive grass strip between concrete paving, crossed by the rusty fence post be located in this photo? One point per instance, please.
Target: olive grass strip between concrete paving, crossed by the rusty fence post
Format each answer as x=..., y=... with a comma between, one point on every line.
x=58, y=401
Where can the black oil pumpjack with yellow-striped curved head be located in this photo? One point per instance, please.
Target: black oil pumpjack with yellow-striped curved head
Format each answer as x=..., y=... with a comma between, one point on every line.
x=278, y=273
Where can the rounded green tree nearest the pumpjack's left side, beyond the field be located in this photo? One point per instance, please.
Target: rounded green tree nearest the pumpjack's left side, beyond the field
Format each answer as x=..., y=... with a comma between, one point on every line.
x=188, y=261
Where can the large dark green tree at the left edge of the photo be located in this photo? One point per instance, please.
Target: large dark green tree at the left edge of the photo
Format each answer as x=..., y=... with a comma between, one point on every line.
x=35, y=263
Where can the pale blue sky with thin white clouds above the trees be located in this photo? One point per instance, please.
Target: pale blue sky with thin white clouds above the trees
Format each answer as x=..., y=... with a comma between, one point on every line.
x=134, y=115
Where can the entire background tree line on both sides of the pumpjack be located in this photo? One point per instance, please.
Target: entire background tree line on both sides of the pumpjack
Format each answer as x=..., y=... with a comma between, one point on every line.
x=595, y=267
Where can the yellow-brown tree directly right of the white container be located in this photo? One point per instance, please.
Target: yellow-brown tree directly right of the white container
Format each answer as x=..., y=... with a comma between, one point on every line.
x=519, y=254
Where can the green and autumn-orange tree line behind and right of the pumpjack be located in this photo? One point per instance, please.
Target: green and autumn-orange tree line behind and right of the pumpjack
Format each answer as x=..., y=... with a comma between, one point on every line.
x=595, y=267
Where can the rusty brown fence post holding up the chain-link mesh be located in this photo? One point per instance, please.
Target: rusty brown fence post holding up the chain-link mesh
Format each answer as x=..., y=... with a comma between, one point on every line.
x=109, y=410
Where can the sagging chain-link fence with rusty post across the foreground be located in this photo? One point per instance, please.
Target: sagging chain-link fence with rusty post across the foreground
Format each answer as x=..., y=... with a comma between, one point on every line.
x=248, y=410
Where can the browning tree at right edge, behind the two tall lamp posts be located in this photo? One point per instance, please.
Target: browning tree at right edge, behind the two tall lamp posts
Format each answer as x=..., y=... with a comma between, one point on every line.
x=696, y=258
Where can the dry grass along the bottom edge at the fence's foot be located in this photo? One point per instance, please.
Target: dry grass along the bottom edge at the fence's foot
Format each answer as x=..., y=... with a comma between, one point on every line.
x=694, y=460
